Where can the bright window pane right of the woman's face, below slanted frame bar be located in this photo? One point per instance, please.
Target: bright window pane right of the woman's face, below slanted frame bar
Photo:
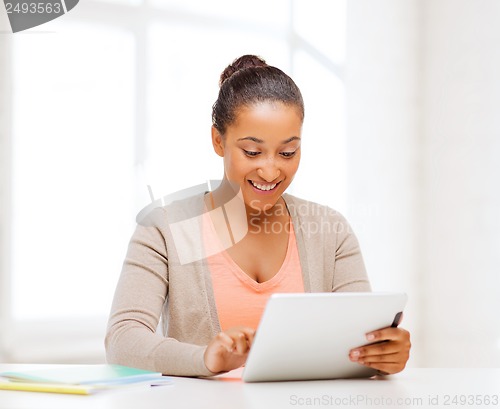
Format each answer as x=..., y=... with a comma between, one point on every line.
x=322, y=173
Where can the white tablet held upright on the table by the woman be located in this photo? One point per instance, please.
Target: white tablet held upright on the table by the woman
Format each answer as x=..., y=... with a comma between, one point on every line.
x=309, y=336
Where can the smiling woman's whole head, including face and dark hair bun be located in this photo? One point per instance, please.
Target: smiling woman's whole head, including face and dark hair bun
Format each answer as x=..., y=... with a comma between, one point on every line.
x=257, y=123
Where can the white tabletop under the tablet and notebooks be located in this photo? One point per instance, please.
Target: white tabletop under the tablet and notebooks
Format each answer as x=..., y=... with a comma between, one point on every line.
x=420, y=388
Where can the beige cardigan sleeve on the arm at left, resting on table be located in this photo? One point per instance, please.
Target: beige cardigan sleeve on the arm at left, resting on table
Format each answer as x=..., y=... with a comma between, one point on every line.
x=141, y=292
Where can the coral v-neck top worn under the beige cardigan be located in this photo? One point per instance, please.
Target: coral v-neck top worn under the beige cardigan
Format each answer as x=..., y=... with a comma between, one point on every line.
x=240, y=300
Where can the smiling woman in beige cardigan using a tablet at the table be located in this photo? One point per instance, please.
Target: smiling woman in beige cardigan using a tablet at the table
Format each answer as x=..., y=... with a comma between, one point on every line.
x=213, y=306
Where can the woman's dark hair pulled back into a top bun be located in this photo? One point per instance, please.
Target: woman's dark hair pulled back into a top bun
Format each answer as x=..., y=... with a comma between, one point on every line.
x=248, y=81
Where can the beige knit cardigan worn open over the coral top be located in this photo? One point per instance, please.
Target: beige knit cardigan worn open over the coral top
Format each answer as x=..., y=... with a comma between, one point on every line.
x=154, y=284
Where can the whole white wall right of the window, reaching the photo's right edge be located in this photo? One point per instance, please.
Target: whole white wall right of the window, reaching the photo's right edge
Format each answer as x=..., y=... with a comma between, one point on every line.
x=423, y=127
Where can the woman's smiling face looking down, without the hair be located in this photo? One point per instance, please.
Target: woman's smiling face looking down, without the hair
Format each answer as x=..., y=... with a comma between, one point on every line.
x=261, y=151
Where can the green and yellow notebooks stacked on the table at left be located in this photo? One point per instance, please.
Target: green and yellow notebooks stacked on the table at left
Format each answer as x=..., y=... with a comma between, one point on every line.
x=79, y=378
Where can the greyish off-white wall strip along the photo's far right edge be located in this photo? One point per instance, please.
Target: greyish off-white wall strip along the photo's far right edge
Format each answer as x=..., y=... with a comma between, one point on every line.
x=461, y=140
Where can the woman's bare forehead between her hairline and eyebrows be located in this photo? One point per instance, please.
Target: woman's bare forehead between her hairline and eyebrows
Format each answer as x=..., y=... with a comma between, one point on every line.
x=266, y=119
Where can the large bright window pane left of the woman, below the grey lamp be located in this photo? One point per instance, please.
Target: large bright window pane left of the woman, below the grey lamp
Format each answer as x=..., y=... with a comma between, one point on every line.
x=72, y=168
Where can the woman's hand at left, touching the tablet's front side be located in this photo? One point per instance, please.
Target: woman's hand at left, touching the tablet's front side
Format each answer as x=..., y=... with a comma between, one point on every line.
x=229, y=349
